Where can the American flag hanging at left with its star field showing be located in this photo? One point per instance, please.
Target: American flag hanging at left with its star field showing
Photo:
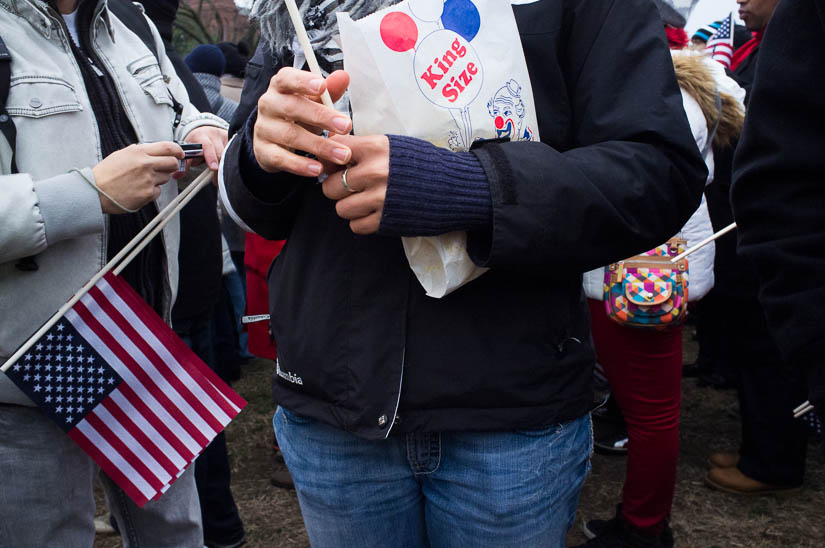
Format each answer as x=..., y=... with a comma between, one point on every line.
x=126, y=389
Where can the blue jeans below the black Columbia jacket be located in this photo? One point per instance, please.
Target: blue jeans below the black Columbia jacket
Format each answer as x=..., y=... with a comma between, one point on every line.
x=451, y=489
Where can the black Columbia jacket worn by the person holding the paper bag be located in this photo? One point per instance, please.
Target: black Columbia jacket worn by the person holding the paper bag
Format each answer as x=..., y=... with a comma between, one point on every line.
x=361, y=347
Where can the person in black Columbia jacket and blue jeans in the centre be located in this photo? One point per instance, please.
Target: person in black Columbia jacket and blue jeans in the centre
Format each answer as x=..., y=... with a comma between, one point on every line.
x=412, y=421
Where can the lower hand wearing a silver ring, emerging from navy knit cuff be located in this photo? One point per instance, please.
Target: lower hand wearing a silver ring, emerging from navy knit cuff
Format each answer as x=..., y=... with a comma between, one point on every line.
x=367, y=176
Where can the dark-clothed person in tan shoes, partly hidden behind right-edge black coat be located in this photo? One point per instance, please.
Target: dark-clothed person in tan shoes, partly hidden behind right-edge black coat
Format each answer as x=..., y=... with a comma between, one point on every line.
x=772, y=453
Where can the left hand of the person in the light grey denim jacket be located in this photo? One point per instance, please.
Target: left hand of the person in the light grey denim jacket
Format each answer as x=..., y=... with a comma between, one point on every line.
x=133, y=175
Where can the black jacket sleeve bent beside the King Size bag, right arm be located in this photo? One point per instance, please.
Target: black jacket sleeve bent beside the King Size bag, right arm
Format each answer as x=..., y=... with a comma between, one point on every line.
x=633, y=174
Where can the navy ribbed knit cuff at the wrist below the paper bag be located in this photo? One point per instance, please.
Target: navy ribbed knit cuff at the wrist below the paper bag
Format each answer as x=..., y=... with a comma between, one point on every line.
x=433, y=191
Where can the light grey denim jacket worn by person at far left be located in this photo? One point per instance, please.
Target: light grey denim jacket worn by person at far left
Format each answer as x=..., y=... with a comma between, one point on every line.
x=45, y=210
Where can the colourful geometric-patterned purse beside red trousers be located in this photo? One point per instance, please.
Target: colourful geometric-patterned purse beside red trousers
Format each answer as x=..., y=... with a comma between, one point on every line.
x=648, y=290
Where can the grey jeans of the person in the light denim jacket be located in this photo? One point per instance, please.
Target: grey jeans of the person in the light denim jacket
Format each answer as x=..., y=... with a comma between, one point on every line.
x=47, y=493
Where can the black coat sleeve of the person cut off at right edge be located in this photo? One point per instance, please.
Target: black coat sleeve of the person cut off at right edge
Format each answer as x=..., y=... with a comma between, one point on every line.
x=778, y=193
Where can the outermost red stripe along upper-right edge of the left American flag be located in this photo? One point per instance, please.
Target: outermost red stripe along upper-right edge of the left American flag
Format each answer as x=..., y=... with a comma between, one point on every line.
x=168, y=338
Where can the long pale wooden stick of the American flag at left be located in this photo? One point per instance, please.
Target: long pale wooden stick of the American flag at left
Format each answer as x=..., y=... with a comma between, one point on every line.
x=162, y=217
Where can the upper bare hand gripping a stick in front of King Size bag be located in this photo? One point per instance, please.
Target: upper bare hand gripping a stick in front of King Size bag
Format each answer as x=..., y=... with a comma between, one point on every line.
x=291, y=118
